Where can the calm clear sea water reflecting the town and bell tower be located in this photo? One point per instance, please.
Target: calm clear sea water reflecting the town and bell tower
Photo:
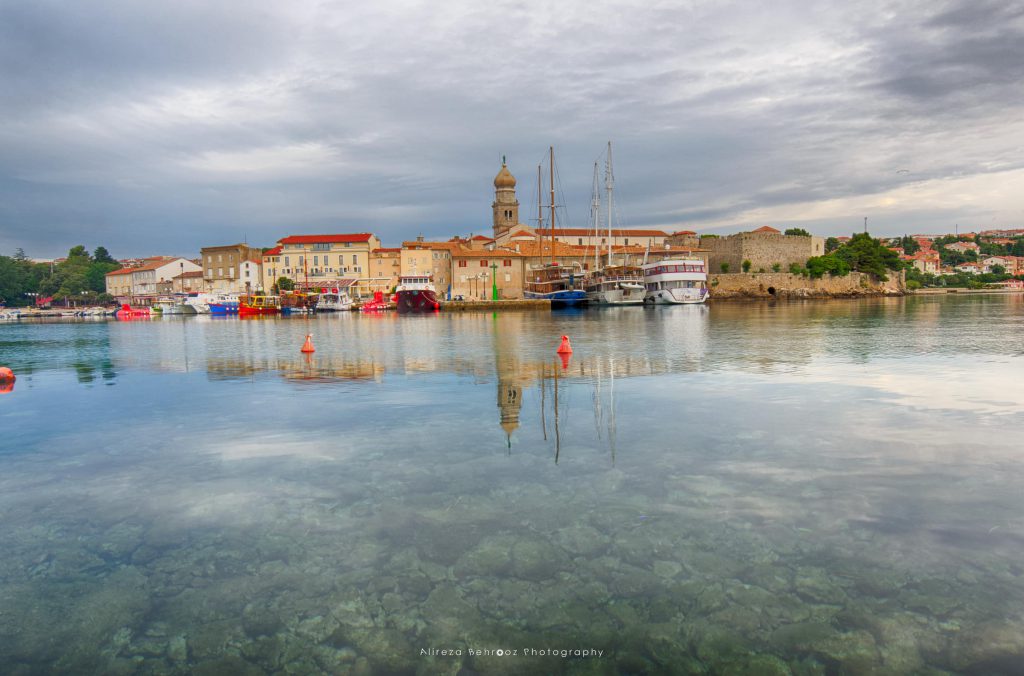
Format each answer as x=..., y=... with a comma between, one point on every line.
x=830, y=488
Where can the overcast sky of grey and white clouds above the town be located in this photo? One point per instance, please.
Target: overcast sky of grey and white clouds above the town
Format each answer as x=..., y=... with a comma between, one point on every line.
x=161, y=128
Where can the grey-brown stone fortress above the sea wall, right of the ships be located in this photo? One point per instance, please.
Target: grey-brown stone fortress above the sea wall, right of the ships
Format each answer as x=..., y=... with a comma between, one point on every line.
x=764, y=247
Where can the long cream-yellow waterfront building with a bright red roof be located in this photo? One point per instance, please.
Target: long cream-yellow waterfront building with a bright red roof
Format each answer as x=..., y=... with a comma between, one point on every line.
x=319, y=262
